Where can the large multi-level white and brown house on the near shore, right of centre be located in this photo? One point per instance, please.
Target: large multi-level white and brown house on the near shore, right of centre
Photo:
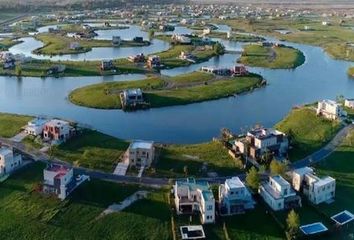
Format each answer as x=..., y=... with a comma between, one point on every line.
x=262, y=140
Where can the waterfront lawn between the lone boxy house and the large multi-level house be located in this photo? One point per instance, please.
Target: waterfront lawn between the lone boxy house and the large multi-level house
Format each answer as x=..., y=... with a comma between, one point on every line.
x=173, y=159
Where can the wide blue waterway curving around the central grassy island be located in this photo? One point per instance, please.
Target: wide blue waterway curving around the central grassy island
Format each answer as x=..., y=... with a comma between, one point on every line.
x=320, y=77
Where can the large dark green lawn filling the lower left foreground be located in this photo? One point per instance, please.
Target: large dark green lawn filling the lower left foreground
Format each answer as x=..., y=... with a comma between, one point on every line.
x=31, y=215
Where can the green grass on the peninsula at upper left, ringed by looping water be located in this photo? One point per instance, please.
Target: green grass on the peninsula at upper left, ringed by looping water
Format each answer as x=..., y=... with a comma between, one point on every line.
x=56, y=44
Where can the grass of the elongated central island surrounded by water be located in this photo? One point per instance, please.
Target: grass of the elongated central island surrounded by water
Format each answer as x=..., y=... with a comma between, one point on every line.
x=95, y=96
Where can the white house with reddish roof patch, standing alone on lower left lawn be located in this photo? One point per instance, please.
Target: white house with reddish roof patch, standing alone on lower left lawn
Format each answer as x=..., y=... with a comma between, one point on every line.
x=58, y=180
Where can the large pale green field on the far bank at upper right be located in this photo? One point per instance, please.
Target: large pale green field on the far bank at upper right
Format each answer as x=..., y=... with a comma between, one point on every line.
x=332, y=38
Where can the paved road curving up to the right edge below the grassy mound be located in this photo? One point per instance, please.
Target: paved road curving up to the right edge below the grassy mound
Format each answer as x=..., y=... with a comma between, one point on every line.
x=324, y=152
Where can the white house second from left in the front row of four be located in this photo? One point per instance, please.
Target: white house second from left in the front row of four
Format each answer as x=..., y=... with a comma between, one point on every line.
x=234, y=197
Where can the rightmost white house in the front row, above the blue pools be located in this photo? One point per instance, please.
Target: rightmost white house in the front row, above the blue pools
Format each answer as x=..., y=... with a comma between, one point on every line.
x=316, y=189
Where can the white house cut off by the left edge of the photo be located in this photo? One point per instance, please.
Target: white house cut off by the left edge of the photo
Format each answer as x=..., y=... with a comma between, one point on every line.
x=8, y=161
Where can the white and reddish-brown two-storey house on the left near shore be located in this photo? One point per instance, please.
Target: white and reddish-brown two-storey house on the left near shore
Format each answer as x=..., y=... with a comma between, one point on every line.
x=57, y=131
